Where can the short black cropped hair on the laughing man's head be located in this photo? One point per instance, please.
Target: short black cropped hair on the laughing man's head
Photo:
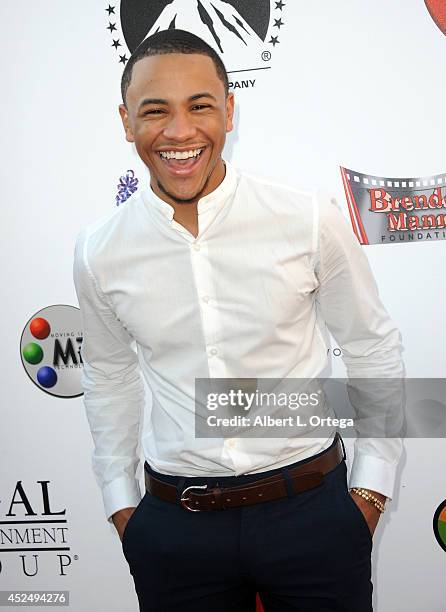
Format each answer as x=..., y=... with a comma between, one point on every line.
x=172, y=41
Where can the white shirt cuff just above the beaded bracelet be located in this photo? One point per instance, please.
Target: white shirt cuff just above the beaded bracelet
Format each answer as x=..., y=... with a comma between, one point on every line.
x=372, y=473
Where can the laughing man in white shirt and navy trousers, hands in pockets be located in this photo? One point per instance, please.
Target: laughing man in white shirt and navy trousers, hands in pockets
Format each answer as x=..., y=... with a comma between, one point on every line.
x=210, y=273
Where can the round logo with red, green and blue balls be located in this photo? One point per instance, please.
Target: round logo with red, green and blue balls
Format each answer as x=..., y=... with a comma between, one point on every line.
x=50, y=350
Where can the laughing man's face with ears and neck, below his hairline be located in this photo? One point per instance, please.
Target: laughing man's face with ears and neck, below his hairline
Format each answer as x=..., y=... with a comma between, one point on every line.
x=177, y=111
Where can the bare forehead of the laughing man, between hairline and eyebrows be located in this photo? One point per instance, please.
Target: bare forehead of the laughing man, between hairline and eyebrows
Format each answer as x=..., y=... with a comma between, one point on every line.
x=173, y=75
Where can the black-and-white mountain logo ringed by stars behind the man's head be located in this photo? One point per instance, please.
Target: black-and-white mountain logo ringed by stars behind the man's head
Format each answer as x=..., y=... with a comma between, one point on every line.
x=245, y=34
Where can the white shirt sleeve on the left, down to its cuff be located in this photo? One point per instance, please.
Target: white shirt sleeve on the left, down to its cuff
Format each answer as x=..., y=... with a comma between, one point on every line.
x=113, y=389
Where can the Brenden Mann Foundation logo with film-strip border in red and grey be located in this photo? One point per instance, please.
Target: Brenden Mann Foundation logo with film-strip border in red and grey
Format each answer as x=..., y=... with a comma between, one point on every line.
x=388, y=210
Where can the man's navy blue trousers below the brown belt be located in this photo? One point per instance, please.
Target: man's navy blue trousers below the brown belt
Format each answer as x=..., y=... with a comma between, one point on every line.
x=306, y=553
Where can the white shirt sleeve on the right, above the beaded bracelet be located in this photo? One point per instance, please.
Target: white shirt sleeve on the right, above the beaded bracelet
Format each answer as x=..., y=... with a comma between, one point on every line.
x=370, y=342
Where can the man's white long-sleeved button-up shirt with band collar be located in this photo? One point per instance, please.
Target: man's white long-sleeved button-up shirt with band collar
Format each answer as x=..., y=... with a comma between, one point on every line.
x=250, y=296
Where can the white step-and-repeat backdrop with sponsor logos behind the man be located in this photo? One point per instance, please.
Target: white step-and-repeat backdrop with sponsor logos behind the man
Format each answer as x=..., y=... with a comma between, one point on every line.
x=341, y=95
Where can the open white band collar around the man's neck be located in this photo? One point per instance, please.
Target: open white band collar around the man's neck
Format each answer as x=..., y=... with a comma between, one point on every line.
x=214, y=200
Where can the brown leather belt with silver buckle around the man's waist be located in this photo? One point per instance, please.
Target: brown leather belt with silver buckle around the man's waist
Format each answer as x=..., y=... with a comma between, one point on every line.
x=200, y=498
